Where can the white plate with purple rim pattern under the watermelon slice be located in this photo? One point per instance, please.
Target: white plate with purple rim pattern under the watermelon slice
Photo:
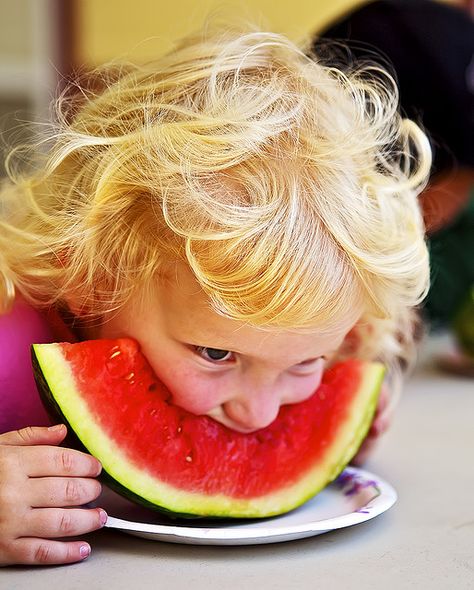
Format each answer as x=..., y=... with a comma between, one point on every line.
x=356, y=496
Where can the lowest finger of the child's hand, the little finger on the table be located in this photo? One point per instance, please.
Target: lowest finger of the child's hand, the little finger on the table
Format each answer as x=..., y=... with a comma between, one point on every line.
x=29, y=551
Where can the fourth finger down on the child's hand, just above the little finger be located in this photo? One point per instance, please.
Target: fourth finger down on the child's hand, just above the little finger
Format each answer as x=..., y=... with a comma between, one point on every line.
x=50, y=523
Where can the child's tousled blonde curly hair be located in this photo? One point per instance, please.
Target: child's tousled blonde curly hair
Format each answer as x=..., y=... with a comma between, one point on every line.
x=288, y=186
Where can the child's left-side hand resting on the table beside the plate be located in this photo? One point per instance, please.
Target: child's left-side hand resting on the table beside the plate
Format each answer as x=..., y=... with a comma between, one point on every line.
x=38, y=480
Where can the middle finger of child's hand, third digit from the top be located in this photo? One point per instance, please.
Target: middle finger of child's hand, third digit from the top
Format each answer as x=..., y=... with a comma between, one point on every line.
x=48, y=492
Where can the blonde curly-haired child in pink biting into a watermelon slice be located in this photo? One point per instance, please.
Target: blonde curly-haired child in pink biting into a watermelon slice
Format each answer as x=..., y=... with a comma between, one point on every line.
x=246, y=213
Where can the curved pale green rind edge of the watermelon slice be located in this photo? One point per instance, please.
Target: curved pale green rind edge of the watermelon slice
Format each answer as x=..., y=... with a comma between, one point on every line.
x=59, y=393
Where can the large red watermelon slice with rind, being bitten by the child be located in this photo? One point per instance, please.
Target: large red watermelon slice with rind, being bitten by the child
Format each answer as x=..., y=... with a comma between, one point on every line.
x=160, y=455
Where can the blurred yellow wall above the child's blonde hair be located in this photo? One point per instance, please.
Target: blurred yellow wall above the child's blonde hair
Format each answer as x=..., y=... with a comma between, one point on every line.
x=143, y=29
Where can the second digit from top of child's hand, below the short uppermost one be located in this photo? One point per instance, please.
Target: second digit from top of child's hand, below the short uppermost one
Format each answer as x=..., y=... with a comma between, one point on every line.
x=57, y=461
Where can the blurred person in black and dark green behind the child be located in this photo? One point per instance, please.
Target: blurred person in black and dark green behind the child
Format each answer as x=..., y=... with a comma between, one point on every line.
x=429, y=48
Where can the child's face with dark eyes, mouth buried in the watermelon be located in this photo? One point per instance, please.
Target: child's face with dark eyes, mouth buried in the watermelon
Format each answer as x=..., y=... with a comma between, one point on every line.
x=238, y=374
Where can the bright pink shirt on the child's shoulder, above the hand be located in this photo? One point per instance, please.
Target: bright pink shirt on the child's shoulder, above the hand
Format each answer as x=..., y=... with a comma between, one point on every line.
x=20, y=404
